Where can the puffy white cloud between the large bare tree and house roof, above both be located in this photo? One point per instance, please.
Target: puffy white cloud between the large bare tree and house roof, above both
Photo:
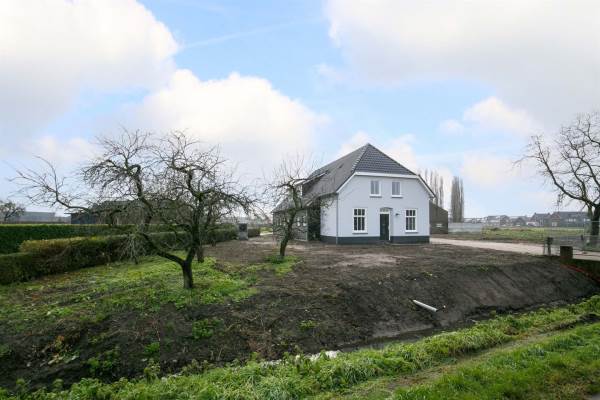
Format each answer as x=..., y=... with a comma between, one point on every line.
x=253, y=123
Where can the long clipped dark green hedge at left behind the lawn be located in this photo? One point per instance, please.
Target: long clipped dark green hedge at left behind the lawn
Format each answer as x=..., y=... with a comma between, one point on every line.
x=45, y=257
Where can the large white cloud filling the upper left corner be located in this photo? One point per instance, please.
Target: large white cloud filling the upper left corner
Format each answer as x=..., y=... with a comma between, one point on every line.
x=53, y=50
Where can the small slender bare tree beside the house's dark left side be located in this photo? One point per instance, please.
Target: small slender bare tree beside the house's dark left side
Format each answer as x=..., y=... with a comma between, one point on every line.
x=286, y=191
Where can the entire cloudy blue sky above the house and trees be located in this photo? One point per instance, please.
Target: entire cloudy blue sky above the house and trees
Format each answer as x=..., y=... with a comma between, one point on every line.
x=457, y=87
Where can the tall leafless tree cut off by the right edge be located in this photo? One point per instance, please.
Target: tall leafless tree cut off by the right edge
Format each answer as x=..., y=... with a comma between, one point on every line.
x=571, y=162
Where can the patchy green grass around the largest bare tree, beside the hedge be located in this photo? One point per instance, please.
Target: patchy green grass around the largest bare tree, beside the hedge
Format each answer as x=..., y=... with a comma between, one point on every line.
x=93, y=294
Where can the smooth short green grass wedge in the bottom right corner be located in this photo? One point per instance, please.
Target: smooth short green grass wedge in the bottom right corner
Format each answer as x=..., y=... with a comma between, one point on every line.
x=565, y=366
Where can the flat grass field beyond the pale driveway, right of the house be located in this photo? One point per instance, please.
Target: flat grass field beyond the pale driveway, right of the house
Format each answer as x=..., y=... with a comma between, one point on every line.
x=517, y=234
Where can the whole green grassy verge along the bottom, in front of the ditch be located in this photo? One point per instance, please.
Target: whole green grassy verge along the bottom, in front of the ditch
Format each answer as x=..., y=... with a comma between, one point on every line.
x=299, y=377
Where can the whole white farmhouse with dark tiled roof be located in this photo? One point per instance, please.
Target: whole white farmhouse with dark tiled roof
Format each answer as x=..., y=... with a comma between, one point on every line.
x=364, y=197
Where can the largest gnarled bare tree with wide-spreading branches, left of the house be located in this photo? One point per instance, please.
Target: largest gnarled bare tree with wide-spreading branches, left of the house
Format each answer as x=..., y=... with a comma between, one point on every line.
x=171, y=181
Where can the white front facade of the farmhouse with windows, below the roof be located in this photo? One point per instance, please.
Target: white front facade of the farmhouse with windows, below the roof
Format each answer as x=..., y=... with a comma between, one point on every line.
x=408, y=209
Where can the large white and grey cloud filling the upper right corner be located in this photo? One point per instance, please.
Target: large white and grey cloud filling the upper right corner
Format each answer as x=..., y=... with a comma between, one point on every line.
x=536, y=55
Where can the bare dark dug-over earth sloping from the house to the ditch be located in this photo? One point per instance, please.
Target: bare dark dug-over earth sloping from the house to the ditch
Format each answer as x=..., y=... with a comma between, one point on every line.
x=336, y=297
